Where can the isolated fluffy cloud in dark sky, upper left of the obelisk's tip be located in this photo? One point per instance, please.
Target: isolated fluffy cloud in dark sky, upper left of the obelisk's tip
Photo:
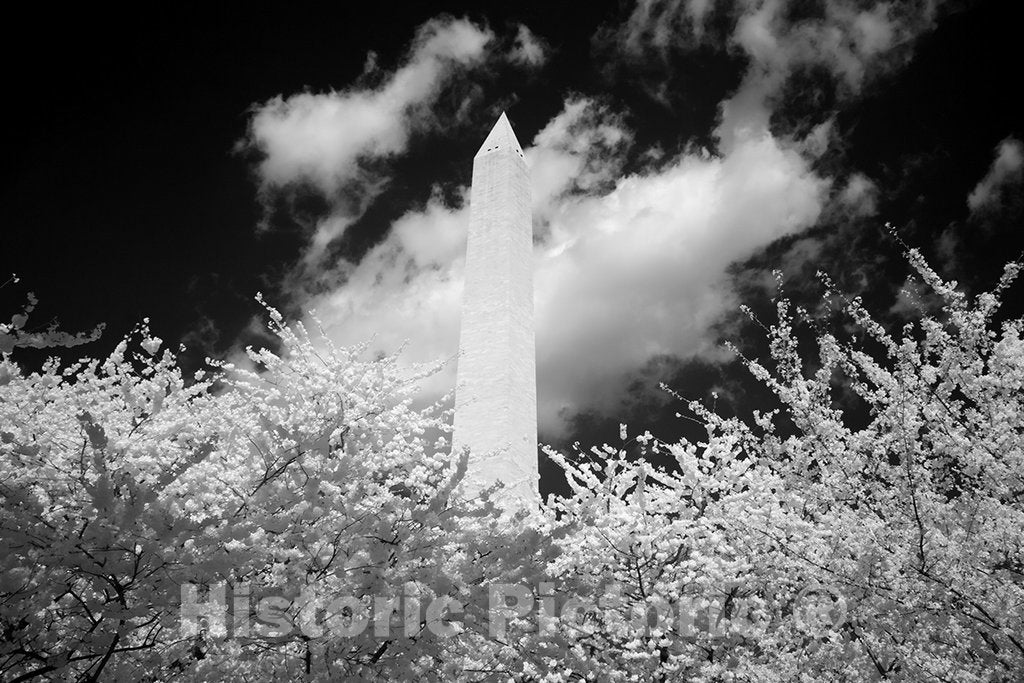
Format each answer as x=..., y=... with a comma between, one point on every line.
x=325, y=140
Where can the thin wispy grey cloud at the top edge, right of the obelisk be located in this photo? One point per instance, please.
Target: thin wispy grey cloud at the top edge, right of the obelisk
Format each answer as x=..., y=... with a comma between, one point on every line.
x=851, y=41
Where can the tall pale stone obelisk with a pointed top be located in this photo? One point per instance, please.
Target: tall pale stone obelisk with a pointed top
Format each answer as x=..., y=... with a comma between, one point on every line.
x=496, y=390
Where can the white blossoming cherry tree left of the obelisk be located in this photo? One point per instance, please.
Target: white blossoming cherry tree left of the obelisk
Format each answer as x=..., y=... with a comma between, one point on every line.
x=307, y=474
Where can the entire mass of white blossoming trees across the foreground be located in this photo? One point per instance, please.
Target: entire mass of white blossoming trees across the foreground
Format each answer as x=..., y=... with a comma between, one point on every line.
x=797, y=548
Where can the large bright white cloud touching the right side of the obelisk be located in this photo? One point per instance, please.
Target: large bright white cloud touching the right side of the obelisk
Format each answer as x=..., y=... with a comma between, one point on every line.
x=639, y=273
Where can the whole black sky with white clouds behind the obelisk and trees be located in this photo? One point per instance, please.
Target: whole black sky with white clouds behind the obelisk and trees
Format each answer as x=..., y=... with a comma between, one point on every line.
x=172, y=166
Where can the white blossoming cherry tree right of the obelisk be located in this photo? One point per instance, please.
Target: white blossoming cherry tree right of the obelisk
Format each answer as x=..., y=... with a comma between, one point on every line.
x=803, y=548
